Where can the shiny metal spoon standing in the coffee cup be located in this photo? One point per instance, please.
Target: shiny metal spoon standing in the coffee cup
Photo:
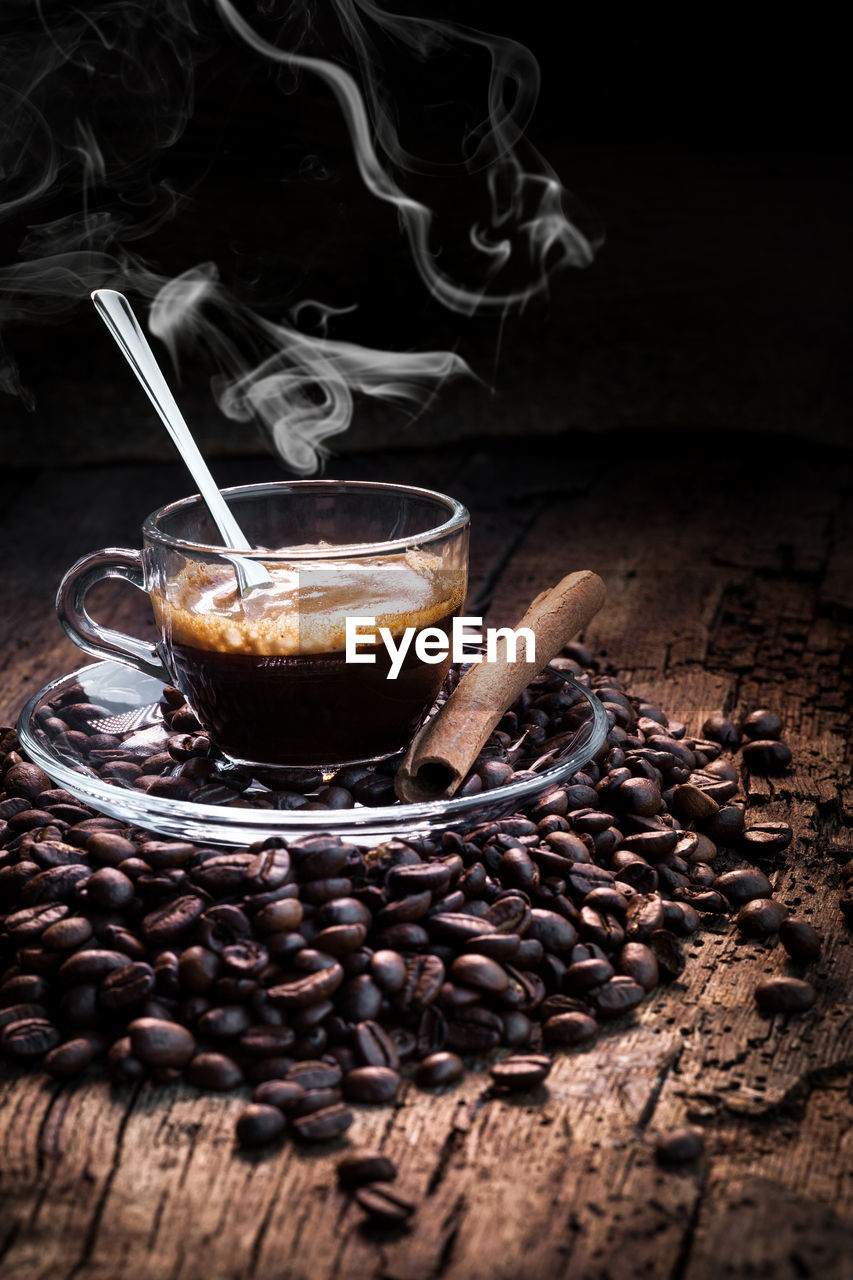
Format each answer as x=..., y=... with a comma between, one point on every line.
x=118, y=317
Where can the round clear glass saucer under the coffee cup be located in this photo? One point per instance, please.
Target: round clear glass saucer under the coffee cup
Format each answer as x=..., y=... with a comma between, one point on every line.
x=130, y=706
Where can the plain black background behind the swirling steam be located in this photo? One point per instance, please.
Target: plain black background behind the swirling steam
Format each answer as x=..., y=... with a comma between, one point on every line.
x=713, y=150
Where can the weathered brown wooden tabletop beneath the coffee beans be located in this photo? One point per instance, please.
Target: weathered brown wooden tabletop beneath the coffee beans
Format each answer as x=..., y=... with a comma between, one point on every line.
x=729, y=569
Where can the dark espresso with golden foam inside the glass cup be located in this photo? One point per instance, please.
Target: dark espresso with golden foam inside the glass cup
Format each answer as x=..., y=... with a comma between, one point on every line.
x=268, y=676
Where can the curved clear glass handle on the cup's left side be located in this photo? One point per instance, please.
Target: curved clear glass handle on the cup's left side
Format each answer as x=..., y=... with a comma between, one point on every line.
x=90, y=636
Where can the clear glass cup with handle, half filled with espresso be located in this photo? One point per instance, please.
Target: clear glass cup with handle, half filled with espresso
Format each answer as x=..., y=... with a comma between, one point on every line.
x=267, y=674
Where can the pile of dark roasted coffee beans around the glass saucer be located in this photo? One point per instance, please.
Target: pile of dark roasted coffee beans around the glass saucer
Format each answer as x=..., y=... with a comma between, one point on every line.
x=317, y=973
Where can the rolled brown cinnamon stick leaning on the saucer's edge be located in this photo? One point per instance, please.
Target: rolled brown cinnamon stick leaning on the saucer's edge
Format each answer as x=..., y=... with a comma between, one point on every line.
x=445, y=748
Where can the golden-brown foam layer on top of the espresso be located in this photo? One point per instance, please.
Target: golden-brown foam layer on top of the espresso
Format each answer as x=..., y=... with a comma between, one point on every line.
x=307, y=607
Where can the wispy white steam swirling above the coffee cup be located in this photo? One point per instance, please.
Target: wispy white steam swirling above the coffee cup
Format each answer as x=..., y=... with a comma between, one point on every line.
x=90, y=98
